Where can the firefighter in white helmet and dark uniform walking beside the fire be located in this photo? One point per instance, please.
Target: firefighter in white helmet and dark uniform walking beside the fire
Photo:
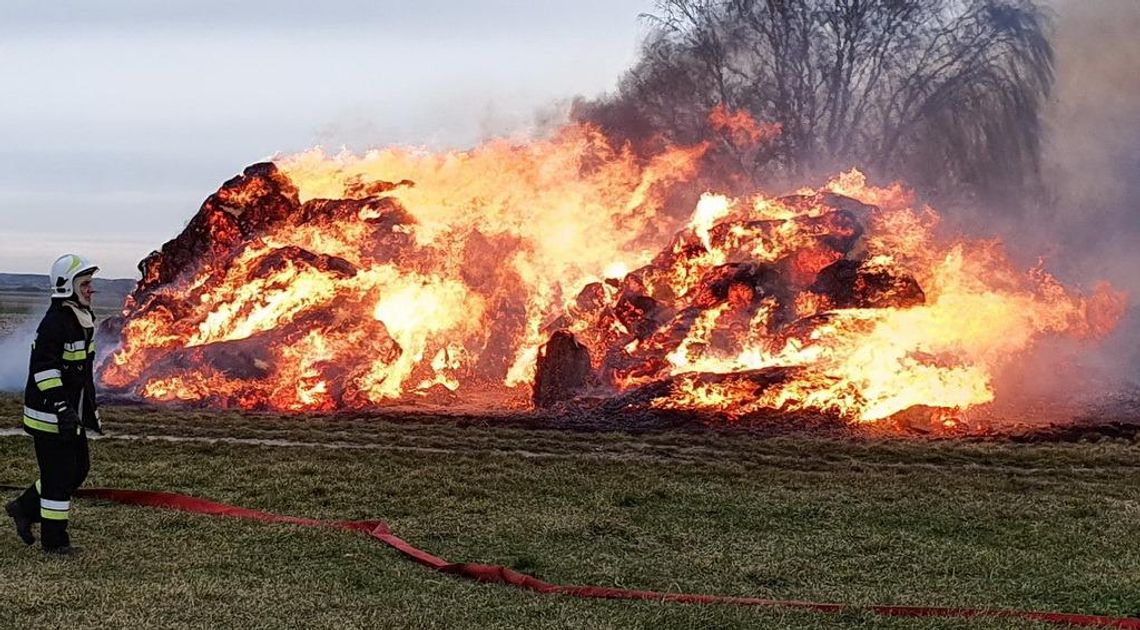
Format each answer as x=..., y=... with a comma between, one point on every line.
x=60, y=406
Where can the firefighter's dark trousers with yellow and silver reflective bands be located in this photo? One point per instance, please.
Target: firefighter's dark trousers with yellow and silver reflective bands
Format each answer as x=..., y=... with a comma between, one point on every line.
x=64, y=465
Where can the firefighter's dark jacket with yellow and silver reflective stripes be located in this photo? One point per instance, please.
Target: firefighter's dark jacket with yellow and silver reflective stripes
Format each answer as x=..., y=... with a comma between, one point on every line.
x=61, y=373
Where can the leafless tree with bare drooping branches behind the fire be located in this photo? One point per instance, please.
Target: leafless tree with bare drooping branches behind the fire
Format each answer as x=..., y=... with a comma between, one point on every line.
x=944, y=93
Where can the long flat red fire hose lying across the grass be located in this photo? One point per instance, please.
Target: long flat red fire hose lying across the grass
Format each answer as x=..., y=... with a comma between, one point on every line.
x=502, y=575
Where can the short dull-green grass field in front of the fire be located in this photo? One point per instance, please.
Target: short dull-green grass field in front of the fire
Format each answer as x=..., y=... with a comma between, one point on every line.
x=1046, y=527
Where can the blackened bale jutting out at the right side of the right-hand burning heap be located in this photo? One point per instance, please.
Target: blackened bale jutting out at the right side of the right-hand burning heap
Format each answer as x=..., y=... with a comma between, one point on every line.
x=859, y=285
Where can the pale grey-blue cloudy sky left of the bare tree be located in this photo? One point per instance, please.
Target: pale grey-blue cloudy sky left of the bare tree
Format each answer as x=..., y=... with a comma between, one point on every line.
x=120, y=117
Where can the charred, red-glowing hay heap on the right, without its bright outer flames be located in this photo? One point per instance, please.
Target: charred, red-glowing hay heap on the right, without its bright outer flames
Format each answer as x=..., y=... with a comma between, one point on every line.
x=718, y=313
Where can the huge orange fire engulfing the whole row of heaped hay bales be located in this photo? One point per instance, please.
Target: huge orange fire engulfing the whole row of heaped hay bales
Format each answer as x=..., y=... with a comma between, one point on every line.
x=325, y=282
